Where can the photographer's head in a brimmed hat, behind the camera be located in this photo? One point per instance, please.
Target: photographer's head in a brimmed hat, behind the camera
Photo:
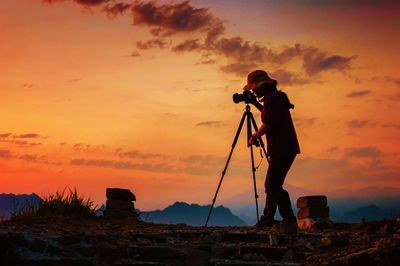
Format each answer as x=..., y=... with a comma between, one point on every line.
x=259, y=82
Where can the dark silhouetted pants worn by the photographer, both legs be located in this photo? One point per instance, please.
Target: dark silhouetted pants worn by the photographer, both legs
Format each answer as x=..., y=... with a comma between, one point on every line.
x=276, y=195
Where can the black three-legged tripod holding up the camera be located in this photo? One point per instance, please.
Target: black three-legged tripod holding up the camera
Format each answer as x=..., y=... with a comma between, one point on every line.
x=248, y=115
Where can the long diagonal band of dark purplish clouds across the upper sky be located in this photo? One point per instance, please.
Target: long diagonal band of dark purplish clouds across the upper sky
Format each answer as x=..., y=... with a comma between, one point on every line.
x=204, y=33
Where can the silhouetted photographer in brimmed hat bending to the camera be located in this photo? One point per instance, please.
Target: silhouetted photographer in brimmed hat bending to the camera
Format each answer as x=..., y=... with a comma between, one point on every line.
x=282, y=145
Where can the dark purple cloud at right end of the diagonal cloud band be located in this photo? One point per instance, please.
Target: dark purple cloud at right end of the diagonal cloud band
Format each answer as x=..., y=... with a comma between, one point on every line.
x=315, y=61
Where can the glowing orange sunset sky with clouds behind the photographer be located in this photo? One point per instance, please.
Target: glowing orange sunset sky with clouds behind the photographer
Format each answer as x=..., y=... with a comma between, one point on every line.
x=98, y=93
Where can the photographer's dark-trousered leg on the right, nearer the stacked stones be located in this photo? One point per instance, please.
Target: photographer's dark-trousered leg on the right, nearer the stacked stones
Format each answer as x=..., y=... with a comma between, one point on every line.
x=278, y=169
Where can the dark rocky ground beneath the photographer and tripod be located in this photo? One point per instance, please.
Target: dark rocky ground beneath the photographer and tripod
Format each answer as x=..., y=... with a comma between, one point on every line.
x=64, y=242
